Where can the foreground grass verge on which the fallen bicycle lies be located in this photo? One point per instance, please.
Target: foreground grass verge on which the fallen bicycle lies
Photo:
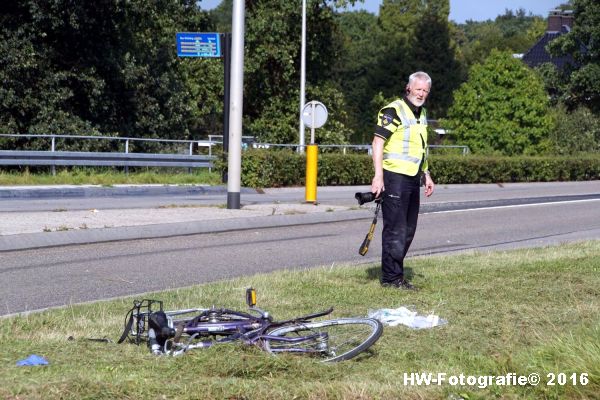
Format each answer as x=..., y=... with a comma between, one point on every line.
x=518, y=312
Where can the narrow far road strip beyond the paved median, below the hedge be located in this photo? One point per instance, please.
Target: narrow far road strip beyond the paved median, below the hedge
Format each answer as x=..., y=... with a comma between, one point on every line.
x=107, y=198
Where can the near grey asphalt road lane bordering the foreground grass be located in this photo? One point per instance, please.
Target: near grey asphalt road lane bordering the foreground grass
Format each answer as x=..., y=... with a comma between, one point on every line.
x=35, y=279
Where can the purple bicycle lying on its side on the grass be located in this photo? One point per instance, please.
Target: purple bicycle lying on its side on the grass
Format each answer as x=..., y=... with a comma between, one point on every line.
x=177, y=331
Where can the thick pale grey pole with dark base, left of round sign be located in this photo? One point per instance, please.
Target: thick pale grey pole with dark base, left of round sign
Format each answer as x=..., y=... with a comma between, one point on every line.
x=236, y=105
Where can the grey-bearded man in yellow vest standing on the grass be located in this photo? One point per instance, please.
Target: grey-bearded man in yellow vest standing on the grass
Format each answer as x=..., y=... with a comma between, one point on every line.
x=400, y=161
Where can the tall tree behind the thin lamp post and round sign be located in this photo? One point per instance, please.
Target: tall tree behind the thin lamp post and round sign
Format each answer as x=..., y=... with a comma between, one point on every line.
x=272, y=68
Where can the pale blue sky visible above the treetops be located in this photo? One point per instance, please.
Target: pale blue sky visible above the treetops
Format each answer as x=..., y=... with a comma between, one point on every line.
x=460, y=10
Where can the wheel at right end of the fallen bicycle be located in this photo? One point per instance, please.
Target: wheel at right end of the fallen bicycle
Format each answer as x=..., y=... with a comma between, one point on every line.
x=332, y=340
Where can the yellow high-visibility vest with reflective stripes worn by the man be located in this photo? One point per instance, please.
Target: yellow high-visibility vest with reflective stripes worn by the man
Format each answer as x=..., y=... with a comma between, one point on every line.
x=404, y=150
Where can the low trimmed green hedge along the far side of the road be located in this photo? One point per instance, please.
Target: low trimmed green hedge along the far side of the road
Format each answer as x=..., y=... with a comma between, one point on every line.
x=278, y=168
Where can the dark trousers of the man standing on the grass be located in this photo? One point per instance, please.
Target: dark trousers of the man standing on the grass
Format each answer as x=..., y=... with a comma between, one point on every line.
x=400, y=208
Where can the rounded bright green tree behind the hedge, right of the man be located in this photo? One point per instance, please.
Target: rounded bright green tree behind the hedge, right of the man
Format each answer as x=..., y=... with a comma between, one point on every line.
x=501, y=109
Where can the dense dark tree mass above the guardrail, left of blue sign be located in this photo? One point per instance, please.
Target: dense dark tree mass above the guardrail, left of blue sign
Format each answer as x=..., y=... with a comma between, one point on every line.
x=89, y=67
